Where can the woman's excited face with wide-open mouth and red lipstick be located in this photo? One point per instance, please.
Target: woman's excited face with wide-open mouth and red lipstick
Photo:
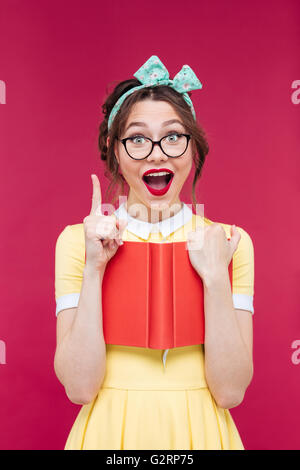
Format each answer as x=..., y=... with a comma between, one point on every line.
x=150, y=118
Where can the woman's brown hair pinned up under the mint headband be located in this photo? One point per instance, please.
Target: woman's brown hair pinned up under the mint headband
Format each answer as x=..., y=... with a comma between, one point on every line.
x=157, y=93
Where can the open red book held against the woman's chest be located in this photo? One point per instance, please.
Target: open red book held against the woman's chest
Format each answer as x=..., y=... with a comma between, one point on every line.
x=152, y=297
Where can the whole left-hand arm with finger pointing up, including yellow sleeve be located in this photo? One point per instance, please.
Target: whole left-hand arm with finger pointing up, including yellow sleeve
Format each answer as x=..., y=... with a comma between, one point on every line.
x=80, y=357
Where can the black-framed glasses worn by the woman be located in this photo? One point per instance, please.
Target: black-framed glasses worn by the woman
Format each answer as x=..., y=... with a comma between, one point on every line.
x=140, y=147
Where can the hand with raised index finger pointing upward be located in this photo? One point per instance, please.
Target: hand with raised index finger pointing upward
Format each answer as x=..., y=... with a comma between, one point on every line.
x=103, y=233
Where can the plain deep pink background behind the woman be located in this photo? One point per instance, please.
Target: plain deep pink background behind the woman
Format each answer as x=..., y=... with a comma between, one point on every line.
x=56, y=60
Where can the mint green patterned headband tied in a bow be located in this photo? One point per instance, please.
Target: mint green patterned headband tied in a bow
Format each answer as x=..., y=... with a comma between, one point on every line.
x=154, y=73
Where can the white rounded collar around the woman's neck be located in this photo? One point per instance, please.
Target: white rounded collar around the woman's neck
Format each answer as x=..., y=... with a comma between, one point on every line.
x=142, y=229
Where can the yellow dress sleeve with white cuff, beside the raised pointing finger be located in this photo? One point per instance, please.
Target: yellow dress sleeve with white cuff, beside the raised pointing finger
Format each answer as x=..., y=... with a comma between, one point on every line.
x=69, y=265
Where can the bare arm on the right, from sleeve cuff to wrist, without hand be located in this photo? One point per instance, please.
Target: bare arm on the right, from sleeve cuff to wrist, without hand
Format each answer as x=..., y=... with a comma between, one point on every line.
x=228, y=343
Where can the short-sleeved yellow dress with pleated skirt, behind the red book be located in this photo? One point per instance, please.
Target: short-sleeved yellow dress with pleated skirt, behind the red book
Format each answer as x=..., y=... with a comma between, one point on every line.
x=148, y=400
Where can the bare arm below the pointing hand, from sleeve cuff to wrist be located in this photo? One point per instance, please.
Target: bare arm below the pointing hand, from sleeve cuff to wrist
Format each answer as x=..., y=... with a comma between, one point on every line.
x=80, y=355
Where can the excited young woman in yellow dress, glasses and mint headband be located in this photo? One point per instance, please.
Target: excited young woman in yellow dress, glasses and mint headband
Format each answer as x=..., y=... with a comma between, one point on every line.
x=144, y=398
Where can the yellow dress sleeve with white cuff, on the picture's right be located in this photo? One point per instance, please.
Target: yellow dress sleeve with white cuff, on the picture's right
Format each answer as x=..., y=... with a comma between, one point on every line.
x=243, y=273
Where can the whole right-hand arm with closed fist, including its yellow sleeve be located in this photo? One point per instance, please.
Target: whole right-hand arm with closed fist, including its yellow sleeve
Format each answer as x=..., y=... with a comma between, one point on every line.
x=228, y=330
